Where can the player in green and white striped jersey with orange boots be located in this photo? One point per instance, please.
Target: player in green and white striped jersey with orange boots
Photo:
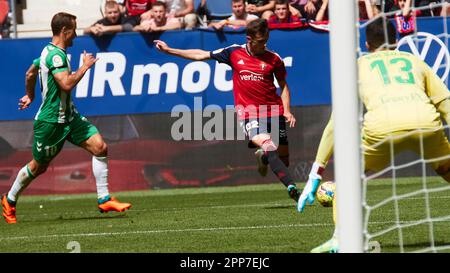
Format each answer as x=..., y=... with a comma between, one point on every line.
x=58, y=120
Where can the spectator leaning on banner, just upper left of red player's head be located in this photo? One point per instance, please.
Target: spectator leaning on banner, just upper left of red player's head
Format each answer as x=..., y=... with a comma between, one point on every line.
x=240, y=17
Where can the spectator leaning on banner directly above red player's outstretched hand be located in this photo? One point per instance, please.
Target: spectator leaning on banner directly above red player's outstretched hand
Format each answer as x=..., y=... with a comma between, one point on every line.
x=159, y=21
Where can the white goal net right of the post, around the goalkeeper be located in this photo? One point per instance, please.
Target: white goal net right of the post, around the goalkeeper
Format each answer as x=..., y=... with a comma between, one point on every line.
x=406, y=205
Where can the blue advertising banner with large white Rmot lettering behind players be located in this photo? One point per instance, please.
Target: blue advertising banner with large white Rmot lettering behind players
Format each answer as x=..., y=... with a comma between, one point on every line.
x=132, y=77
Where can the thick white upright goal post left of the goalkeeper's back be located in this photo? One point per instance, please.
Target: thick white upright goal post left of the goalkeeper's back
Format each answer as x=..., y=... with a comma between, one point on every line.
x=344, y=40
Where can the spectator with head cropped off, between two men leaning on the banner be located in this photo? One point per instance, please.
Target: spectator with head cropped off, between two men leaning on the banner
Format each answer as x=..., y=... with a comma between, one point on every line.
x=183, y=9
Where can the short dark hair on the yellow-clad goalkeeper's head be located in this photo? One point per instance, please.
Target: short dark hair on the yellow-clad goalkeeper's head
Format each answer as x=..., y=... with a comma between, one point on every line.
x=376, y=33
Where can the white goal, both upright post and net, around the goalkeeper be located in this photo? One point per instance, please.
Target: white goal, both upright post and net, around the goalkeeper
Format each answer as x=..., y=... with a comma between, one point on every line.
x=409, y=180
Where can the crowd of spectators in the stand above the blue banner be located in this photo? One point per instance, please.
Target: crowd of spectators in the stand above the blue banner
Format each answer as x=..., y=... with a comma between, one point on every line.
x=162, y=15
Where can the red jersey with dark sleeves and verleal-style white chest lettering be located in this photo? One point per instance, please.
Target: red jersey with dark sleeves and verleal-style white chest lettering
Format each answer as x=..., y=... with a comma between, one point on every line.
x=255, y=94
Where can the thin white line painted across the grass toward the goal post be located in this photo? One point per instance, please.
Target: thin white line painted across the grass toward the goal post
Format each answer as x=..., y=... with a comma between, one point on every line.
x=157, y=231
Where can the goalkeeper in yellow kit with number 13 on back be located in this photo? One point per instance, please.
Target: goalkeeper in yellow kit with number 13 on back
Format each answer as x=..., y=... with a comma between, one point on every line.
x=405, y=102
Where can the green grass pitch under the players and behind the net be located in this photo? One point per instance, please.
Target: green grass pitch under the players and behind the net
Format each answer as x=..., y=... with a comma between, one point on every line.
x=240, y=219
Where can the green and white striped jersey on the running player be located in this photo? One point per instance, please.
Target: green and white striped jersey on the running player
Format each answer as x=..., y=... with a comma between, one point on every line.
x=57, y=105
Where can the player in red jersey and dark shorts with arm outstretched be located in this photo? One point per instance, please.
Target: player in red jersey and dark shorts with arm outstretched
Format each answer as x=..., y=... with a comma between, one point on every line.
x=259, y=108
